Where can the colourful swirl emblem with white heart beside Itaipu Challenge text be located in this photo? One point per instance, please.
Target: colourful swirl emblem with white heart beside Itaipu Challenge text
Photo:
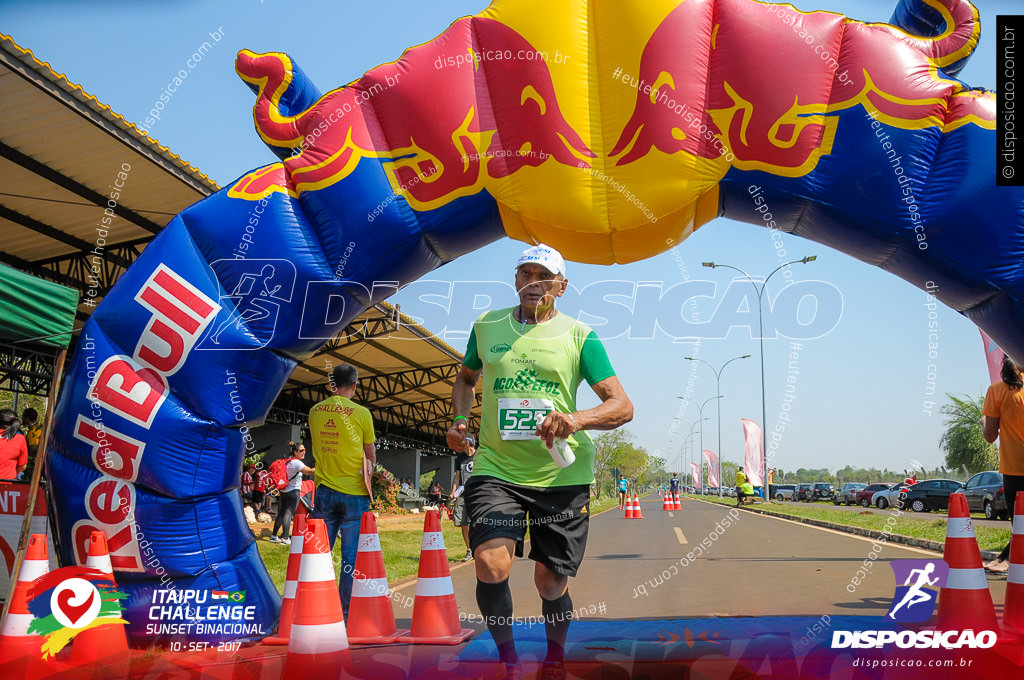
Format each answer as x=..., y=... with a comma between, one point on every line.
x=70, y=601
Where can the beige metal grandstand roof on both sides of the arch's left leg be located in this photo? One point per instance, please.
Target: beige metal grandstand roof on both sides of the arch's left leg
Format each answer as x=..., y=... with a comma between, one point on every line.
x=61, y=154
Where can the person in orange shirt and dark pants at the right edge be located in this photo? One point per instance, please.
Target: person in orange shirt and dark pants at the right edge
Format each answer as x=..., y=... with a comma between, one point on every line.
x=1004, y=413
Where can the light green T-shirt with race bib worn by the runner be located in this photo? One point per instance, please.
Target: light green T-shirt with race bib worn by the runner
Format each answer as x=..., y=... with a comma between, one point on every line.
x=527, y=373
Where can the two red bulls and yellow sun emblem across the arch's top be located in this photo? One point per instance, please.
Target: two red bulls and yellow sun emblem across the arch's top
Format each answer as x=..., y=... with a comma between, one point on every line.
x=720, y=86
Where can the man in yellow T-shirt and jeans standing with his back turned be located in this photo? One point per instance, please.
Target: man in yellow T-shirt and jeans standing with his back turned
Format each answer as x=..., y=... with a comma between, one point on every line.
x=343, y=435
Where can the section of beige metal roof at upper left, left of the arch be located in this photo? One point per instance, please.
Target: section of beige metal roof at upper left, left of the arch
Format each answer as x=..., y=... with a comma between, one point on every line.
x=61, y=155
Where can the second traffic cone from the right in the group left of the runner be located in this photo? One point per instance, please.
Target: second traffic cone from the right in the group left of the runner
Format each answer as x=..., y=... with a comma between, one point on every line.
x=371, y=618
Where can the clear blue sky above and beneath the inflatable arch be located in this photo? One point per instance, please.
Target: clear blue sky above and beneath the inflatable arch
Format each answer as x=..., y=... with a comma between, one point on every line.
x=861, y=389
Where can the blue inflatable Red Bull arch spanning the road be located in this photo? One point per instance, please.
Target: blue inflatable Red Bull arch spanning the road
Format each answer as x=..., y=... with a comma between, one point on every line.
x=610, y=131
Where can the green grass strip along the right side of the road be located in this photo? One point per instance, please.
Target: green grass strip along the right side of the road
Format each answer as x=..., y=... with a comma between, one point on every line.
x=908, y=524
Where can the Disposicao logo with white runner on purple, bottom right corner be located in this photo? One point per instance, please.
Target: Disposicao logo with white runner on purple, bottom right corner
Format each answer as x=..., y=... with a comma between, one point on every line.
x=914, y=603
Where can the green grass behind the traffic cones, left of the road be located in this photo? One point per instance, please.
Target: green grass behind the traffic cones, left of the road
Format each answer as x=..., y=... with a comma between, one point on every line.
x=401, y=541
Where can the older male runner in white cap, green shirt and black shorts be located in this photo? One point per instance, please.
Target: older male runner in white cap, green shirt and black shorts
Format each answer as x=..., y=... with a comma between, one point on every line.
x=533, y=360
